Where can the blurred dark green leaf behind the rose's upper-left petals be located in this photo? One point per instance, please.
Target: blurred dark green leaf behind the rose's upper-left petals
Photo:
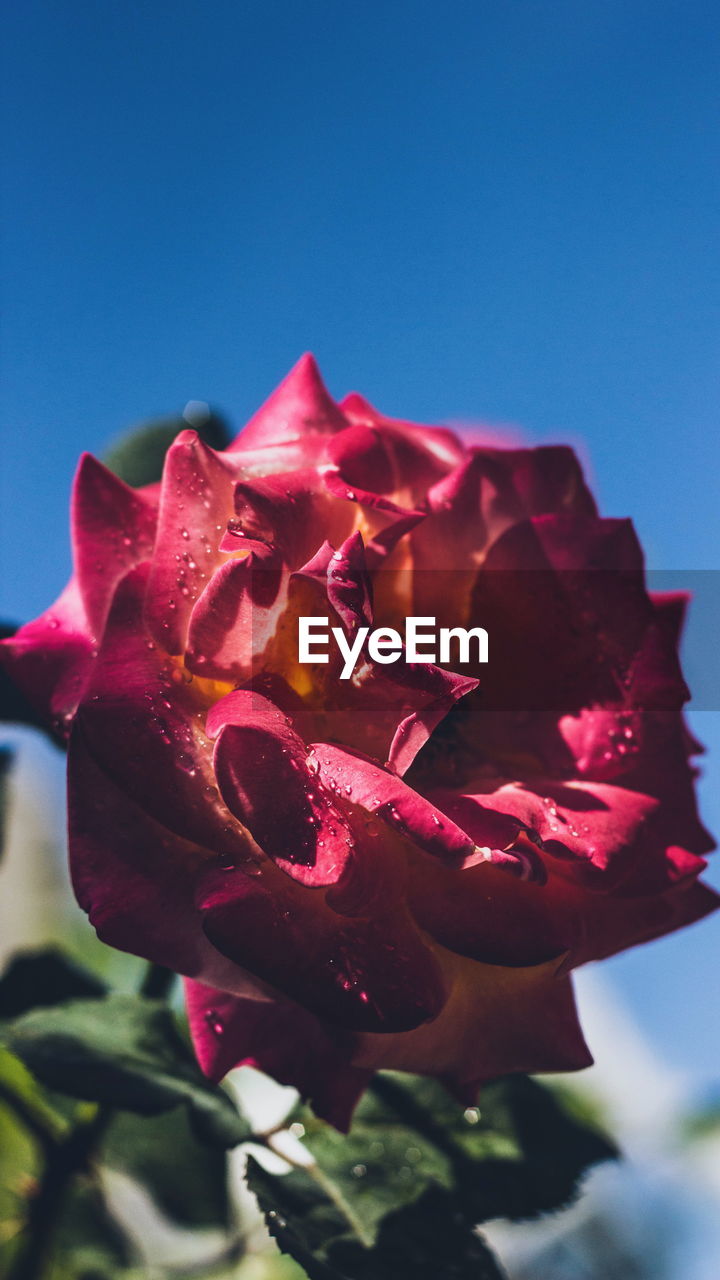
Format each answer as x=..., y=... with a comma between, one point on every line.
x=138, y=458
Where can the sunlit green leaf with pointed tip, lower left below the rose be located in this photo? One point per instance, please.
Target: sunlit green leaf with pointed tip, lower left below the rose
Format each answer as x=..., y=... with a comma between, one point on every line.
x=127, y=1053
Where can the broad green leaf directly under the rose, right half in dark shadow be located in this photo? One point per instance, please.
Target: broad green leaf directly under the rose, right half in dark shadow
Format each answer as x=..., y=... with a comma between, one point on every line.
x=521, y=1154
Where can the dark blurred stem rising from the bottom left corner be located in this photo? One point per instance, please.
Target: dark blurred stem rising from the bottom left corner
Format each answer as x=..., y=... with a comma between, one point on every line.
x=65, y=1160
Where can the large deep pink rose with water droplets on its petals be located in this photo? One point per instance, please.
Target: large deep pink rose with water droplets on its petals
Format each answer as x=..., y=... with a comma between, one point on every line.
x=399, y=870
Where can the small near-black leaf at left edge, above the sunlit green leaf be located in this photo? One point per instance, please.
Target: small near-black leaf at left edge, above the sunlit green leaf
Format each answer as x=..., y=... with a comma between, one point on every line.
x=44, y=979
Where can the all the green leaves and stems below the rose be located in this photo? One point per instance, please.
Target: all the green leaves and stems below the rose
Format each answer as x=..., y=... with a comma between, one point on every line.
x=95, y=1085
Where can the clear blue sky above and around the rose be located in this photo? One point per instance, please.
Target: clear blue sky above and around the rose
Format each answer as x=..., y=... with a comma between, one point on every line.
x=473, y=209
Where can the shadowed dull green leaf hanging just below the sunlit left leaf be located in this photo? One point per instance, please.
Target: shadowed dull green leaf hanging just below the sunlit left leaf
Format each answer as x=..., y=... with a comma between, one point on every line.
x=186, y=1178
